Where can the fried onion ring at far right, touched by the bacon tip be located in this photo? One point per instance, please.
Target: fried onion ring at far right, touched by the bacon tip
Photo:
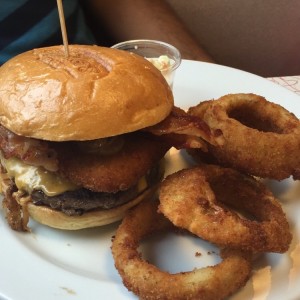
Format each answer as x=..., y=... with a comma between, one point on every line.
x=261, y=138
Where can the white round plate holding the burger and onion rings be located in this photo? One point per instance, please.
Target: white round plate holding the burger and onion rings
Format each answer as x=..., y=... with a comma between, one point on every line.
x=52, y=264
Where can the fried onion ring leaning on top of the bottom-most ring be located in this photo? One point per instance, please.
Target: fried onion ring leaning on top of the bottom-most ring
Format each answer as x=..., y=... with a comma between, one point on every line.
x=194, y=199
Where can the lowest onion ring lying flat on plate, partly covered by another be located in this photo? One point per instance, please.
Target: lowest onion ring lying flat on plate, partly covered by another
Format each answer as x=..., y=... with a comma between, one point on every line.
x=148, y=282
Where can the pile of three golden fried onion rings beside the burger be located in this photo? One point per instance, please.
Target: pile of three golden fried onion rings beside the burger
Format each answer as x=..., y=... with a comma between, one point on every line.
x=225, y=205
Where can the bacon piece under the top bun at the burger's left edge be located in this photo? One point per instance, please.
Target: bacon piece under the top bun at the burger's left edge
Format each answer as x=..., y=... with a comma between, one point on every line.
x=32, y=151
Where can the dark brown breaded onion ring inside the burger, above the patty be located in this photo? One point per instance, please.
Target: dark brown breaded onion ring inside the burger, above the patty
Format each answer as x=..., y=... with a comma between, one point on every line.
x=111, y=173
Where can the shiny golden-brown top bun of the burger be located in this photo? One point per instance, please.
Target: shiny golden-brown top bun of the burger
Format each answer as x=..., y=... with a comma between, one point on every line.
x=93, y=93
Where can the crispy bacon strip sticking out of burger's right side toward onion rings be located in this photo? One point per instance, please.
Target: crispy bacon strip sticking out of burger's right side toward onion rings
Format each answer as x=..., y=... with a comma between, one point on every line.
x=186, y=131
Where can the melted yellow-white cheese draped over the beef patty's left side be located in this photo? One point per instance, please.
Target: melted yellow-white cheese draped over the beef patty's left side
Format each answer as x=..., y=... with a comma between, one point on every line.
x=29, y=178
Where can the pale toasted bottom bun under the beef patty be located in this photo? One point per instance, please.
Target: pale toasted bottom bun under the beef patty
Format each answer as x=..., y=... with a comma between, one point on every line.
x=56, y=219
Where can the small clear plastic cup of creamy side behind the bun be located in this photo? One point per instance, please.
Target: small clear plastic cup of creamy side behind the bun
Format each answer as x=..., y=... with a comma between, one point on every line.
x=164, y=56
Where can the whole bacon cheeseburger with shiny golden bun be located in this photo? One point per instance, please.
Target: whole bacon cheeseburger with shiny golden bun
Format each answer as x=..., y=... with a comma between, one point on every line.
x=73, y=149
